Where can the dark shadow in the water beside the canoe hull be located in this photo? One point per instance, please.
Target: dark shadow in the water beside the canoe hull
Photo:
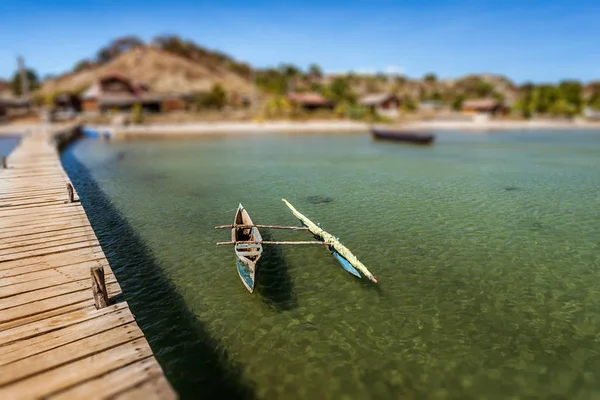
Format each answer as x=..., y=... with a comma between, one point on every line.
x=274, y=282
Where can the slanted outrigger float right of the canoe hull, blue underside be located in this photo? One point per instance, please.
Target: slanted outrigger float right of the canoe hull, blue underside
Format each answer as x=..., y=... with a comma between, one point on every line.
x=340, y=252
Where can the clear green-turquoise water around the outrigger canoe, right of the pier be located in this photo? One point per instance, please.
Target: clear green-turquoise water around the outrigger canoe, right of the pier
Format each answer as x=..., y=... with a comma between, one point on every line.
x=487, y=249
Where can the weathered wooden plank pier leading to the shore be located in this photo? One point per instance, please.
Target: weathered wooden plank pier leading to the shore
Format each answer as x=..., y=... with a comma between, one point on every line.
x=54, y=341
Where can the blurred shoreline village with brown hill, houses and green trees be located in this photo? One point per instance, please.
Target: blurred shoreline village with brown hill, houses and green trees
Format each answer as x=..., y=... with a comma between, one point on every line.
x=132, y=80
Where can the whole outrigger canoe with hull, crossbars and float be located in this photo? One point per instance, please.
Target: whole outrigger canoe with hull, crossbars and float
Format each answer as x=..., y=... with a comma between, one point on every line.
x=247, y=242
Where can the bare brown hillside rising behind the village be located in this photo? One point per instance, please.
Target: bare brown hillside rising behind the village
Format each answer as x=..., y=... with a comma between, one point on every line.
x=163, y=71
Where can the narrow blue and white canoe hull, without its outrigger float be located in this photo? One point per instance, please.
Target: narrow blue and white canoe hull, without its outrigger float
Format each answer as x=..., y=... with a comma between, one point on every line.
x=248, y=247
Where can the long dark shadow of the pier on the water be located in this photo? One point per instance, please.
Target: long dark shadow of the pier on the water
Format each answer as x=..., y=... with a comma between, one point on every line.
x=196, y=364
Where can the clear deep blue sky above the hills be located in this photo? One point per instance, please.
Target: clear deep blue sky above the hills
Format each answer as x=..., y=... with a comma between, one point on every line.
x=540, y=41
